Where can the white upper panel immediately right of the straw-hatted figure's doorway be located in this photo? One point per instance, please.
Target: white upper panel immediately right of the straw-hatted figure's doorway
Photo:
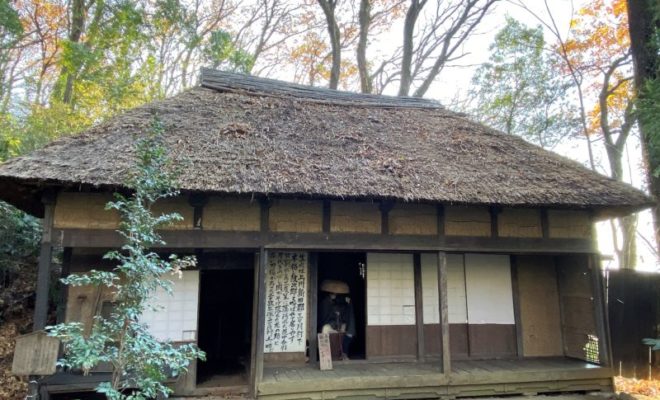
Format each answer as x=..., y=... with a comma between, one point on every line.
x=390, y=289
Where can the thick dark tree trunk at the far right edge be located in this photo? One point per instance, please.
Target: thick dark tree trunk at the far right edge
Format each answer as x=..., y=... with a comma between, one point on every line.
x=644, y=17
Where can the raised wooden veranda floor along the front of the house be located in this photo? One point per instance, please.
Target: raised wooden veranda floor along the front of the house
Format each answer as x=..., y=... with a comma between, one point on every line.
x=424, y=380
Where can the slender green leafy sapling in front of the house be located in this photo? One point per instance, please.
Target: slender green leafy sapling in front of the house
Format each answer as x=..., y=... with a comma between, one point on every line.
x=141, y=364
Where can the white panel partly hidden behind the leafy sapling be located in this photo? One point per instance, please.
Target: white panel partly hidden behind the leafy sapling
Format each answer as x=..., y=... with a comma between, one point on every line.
x=176, y=316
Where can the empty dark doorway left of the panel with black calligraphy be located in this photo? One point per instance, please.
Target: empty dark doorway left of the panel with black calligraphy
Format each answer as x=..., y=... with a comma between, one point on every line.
x=225, y=320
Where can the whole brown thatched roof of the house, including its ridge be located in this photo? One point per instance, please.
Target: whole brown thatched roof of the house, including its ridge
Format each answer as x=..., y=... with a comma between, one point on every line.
x=253, y=136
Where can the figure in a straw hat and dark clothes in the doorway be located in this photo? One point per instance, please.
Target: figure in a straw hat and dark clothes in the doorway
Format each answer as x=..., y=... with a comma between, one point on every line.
x=336, y=313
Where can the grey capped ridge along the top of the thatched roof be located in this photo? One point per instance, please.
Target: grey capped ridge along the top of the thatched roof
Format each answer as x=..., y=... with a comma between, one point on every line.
x=231, y=82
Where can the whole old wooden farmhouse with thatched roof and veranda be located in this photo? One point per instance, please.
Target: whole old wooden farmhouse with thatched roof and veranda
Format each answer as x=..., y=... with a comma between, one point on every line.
x=468, y=255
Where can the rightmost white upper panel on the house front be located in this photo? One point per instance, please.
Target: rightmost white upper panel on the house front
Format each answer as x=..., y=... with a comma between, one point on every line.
x=488, y=288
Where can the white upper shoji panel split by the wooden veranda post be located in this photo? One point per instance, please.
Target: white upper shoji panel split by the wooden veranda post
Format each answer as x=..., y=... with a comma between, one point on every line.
x=456, y=298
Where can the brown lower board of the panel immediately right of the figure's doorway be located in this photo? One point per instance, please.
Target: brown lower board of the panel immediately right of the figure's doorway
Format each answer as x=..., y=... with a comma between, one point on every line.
x=391, y=341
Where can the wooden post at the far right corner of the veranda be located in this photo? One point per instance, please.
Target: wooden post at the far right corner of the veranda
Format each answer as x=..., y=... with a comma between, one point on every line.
x=600, y=311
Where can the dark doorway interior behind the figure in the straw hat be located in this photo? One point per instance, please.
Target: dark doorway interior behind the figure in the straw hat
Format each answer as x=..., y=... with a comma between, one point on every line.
x=349, y=268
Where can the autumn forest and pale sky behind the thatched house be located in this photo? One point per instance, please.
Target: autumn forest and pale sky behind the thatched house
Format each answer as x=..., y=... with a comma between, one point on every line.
x=564, y=75
